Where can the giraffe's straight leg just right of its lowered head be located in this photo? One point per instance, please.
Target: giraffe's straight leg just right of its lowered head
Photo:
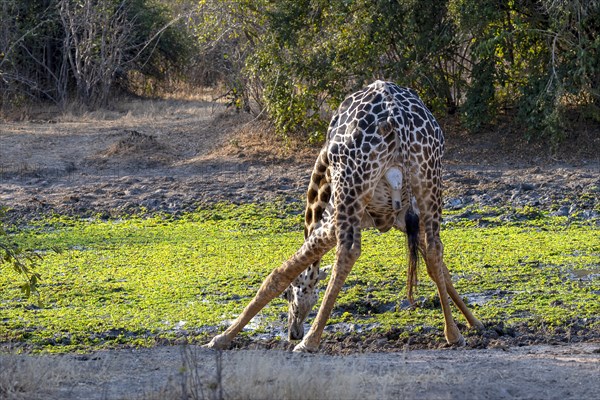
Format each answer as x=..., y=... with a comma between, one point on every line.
x=347, y=254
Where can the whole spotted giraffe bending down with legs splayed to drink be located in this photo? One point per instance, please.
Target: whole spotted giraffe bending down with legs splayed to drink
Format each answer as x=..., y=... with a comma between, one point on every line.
x=380, y=168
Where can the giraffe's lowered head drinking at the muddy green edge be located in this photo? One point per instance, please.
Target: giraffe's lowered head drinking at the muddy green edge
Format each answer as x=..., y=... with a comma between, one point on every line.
x=302, y=295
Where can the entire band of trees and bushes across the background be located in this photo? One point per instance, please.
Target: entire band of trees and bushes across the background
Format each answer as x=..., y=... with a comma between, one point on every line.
x=294, y=61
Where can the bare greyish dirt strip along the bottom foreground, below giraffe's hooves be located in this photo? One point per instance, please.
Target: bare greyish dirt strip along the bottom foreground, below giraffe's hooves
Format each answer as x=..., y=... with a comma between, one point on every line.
x=533, y=372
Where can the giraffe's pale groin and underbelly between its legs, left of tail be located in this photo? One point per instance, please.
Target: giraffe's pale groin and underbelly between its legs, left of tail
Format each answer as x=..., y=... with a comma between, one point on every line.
x=388, y=204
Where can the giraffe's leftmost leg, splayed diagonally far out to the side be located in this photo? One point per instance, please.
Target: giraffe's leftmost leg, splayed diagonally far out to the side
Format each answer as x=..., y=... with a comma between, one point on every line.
x=313, y=249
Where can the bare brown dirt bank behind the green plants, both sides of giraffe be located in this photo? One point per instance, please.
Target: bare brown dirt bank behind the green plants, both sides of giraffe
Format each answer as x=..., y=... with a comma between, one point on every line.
x=174, y=156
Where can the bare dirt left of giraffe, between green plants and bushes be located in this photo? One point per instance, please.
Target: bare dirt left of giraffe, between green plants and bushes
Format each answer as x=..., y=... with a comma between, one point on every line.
x=173, y=160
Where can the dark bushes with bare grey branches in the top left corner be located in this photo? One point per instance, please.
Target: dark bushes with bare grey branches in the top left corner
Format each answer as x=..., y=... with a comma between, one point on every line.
x=63, y=50
